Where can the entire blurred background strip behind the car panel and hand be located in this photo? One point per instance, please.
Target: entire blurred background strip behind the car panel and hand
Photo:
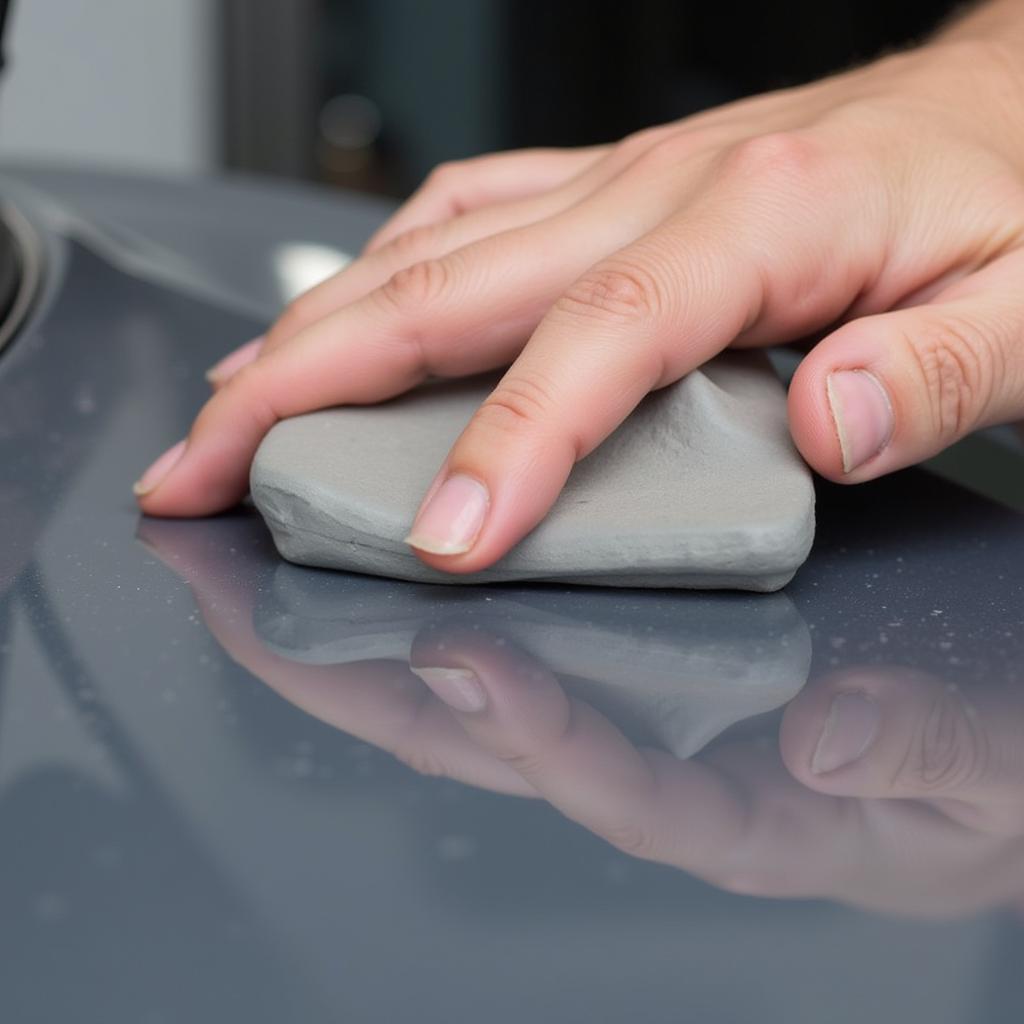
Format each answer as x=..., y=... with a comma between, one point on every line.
x=370, y=95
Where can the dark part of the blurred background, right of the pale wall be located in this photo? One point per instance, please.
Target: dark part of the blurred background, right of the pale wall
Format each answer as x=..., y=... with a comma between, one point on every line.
x=372, y=94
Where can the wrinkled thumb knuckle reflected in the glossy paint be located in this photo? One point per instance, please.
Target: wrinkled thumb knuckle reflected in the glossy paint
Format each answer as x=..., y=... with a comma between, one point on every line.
x=949, y=751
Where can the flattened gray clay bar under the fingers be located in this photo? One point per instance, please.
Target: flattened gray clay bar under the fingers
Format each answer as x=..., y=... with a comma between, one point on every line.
x=700, y=488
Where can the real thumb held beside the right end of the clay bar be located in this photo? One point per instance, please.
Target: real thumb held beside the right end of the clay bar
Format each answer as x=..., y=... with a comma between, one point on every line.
x=893, y=390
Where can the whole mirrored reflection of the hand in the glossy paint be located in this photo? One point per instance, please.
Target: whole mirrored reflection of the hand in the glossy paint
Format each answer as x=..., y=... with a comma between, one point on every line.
x=888, y=789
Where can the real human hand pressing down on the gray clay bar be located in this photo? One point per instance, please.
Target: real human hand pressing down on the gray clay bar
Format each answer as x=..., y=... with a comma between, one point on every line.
x=890, y=200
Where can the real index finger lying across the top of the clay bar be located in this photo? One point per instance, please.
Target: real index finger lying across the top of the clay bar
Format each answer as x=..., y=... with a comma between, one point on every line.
x=742, y=263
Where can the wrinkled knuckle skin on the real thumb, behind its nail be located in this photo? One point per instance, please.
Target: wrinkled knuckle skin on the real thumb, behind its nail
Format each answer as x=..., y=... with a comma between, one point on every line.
x=955, y=366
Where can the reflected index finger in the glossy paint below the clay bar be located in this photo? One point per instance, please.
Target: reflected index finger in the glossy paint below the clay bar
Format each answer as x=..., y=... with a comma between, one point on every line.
x=578, y=760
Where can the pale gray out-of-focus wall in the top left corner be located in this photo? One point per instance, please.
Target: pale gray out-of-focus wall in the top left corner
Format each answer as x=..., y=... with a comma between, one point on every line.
x=118, y=83
